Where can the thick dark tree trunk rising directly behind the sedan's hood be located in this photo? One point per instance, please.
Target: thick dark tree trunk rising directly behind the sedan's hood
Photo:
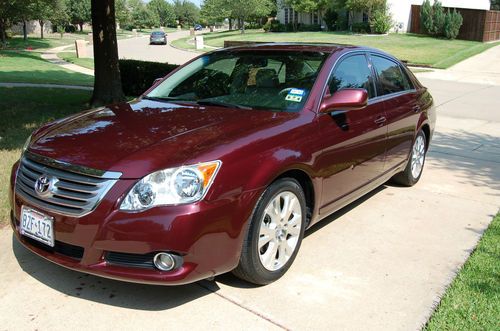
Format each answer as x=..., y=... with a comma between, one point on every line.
x=107, y=80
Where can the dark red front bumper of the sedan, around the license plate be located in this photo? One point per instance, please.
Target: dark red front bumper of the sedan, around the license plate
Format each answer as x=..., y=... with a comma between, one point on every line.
x=208, y=237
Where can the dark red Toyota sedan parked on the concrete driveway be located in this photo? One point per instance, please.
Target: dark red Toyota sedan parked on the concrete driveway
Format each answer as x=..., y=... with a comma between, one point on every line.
x=222, y=165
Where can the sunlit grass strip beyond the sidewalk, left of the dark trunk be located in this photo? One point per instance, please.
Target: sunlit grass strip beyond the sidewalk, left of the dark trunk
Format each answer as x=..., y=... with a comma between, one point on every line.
x=29, y=67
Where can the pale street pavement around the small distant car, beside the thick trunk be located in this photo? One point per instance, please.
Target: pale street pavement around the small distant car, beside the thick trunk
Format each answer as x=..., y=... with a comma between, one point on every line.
x=139, y=49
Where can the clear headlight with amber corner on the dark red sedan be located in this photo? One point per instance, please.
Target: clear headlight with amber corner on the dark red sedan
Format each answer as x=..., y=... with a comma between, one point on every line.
x=173, y=186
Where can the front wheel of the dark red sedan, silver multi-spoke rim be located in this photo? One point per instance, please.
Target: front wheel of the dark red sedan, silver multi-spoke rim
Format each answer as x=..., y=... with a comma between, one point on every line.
x=279, y=239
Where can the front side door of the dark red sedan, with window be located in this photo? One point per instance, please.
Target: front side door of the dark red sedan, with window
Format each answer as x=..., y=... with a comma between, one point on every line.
x=354, y=141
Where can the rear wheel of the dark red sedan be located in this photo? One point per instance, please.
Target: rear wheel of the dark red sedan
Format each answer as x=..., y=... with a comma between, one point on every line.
x=413, y=171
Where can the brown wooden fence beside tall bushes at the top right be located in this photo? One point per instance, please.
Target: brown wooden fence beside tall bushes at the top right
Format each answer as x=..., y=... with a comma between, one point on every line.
x=479, y=25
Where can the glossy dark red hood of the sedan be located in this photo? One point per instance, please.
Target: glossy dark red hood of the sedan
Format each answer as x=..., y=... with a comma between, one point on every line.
x=143, y=136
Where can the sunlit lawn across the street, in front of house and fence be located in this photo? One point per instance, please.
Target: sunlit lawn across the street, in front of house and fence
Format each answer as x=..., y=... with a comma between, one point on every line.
x=416, y=49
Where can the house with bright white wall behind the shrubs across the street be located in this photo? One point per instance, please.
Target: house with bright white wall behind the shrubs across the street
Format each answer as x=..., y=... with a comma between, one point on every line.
x=400, y=10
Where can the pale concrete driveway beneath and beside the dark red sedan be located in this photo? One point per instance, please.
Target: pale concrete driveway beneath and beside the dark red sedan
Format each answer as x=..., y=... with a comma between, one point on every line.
x=381, y=263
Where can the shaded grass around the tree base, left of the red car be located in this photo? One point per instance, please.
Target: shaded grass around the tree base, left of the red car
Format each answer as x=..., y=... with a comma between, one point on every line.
x=27, y=109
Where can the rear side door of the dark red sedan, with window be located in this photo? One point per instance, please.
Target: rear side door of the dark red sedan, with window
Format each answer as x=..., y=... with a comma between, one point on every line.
x=401, y=108
